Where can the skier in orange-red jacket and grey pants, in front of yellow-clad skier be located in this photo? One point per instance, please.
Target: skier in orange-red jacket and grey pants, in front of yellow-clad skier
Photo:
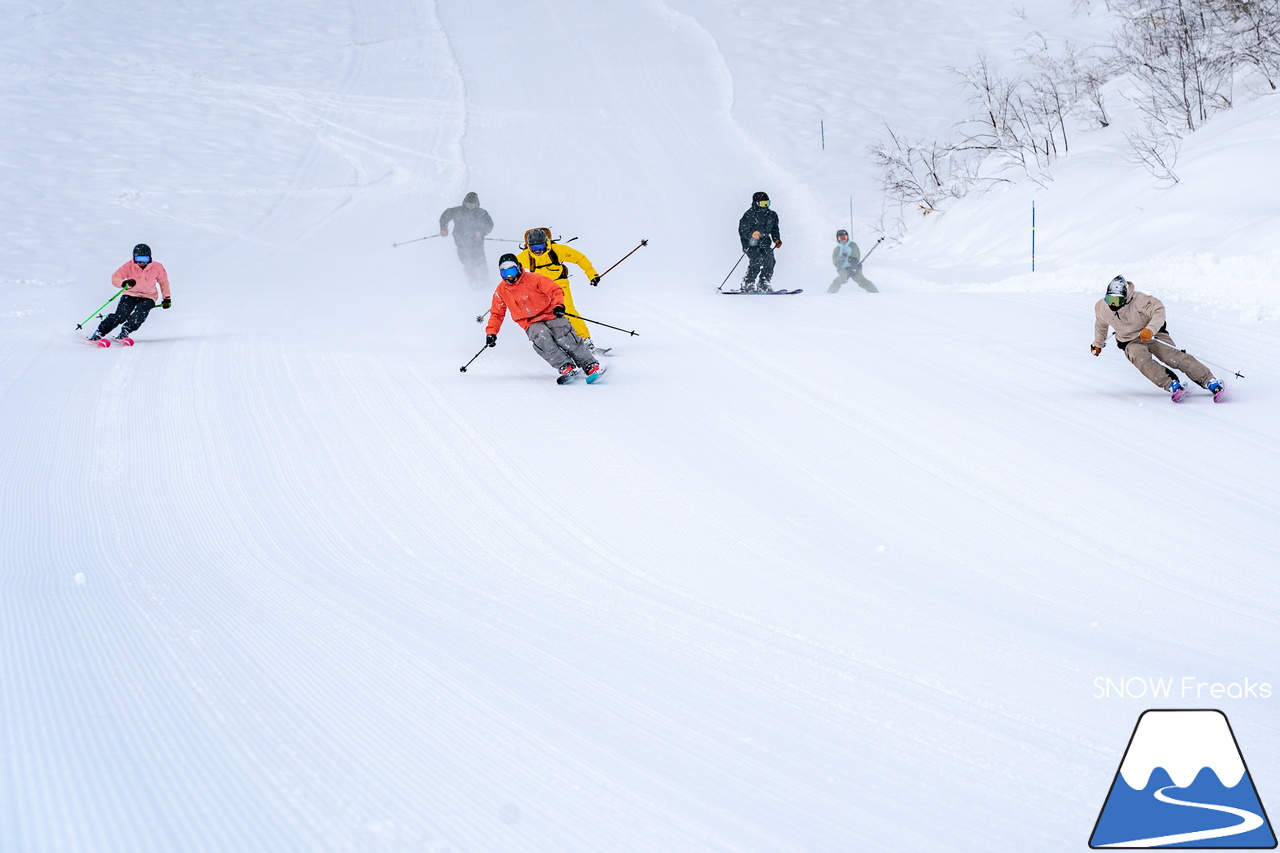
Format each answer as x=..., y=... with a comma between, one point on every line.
x=538, y=305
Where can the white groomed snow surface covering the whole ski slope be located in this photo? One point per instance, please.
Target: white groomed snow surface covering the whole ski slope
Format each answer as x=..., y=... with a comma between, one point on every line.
x=813, y=573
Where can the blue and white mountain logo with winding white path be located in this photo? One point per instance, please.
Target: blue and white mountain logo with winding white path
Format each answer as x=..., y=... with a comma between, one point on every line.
x=1183, y=783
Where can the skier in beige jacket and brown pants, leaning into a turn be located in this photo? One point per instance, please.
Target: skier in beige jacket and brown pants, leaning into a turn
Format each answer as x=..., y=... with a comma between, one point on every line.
x=1144, y=337
